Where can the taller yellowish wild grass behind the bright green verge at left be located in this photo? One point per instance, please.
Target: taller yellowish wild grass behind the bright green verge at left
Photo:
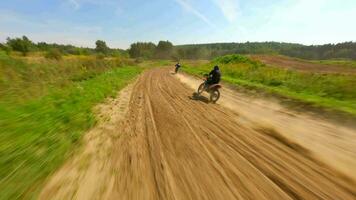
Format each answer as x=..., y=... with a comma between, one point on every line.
x=20, y=80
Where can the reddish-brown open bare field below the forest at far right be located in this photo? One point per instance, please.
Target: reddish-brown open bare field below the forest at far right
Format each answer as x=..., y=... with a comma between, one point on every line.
x=326, y=66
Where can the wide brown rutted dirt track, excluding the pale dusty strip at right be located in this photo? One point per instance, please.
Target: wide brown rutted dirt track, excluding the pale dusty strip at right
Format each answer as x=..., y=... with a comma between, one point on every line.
x=171, y=145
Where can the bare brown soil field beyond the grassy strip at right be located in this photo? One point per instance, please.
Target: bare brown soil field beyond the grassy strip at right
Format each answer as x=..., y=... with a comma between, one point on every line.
x=300, y=65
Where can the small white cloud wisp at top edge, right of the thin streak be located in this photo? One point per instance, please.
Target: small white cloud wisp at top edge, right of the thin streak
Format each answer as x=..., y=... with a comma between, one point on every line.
x=229, y=8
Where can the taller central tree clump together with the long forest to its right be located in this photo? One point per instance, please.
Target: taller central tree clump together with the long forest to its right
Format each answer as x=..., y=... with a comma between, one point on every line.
x=166, y=49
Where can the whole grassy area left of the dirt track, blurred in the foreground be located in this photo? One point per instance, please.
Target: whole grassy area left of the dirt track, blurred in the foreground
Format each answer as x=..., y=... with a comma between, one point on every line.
x=44, y=111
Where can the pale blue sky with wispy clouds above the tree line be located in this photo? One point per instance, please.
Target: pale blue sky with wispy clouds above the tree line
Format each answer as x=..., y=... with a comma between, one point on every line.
x=122, y=22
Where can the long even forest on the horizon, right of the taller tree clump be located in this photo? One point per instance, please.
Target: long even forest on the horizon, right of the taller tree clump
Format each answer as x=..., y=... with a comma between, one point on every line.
x=346, y=50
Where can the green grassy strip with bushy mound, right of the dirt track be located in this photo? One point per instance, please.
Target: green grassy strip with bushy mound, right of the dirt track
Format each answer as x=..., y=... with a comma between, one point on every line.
x=334, y=92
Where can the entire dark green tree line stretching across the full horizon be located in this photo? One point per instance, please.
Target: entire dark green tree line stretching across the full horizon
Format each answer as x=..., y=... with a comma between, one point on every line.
x=166, y=50
